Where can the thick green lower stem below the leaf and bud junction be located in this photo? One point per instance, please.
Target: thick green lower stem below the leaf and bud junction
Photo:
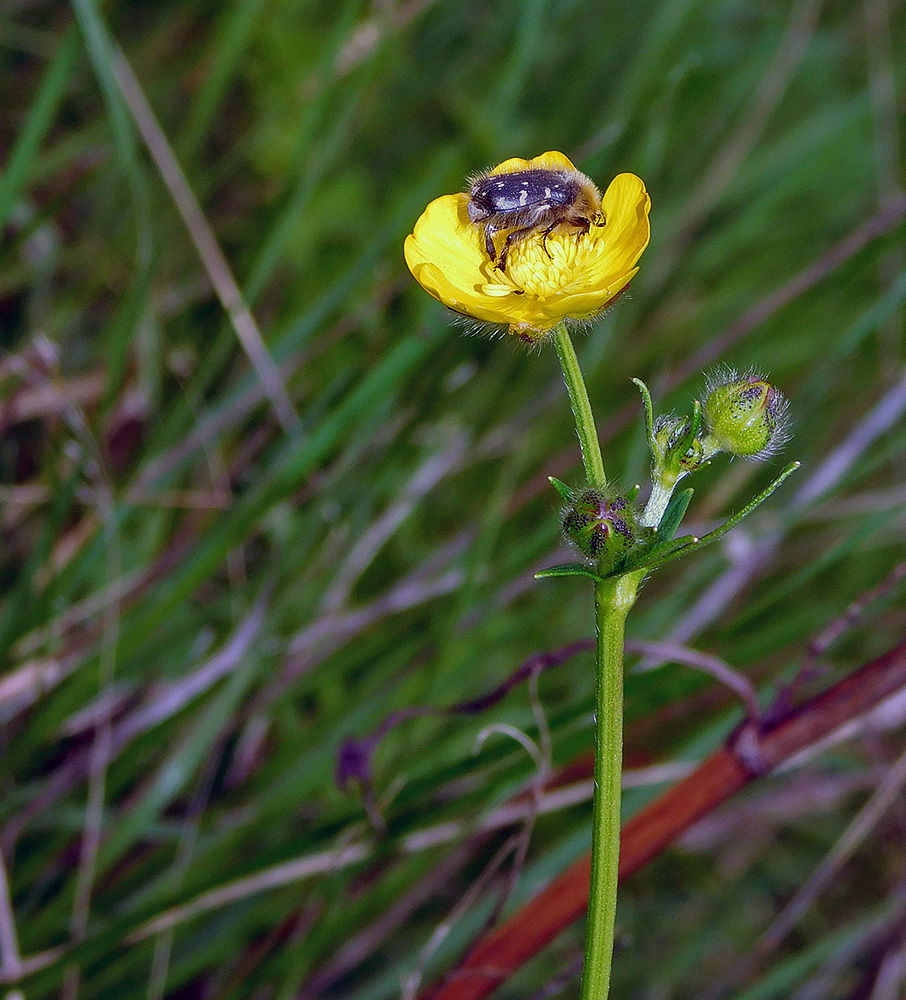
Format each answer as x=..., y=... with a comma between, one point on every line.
x=613, y=599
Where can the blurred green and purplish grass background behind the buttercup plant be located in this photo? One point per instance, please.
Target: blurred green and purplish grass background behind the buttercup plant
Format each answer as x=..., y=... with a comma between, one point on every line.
x=206, y=588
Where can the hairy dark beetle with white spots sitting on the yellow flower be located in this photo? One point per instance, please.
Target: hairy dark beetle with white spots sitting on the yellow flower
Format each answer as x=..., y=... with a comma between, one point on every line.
x=527, y=202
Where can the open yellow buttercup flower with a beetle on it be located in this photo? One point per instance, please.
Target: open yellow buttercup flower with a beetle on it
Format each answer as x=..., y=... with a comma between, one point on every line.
x=551, y=274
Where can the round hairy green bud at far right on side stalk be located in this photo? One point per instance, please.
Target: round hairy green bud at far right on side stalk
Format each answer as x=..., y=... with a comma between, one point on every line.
x=745, y=415
